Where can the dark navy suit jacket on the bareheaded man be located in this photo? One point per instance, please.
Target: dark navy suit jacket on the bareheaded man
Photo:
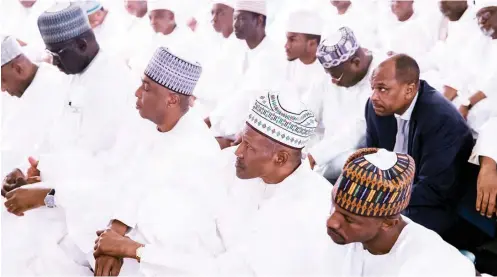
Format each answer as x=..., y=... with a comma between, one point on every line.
x=440, y=143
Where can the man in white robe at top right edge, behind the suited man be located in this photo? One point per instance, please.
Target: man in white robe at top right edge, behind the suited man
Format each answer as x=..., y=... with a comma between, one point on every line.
x=468, y=83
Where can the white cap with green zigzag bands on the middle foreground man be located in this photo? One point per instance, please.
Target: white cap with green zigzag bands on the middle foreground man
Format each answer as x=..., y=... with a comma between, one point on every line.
x=283, y=118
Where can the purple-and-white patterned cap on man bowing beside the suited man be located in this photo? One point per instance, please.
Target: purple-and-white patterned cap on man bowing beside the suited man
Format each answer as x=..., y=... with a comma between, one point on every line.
x=337, y=48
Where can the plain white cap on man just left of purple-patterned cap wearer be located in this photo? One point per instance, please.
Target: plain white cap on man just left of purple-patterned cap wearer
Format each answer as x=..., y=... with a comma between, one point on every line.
x=304, y=22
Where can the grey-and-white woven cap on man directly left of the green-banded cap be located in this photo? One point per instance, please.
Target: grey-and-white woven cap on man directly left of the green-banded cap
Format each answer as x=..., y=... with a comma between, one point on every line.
x=172, y=72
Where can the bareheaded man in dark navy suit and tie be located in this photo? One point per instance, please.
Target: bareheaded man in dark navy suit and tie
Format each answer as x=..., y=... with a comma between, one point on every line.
x=405, y=114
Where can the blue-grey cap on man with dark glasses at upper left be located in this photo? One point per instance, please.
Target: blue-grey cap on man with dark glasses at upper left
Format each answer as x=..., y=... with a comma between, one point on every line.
x=62, y=22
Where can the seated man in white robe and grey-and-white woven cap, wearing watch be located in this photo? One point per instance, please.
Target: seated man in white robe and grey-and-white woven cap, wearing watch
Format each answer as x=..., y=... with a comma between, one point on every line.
x=160, y=161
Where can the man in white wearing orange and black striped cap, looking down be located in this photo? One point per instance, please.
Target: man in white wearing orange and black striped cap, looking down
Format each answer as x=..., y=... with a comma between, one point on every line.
x=378, y=240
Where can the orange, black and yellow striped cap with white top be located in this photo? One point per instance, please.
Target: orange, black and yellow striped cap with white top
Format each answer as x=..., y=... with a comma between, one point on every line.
x=375, y=183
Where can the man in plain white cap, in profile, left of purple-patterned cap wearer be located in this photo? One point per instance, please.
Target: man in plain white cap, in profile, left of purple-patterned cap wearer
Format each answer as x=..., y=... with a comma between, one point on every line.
x=303, y=35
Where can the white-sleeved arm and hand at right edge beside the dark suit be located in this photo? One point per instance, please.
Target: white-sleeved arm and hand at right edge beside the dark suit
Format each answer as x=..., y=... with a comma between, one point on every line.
x=485, y=155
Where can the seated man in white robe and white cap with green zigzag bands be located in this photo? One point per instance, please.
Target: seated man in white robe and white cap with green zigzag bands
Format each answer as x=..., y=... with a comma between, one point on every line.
x=272, y=222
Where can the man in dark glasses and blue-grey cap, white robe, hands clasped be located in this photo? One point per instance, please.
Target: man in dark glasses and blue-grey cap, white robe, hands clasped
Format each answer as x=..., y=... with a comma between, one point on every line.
x=90, y=119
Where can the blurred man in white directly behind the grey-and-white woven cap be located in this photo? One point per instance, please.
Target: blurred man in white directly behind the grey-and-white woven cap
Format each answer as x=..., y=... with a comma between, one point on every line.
x=165, y=31
